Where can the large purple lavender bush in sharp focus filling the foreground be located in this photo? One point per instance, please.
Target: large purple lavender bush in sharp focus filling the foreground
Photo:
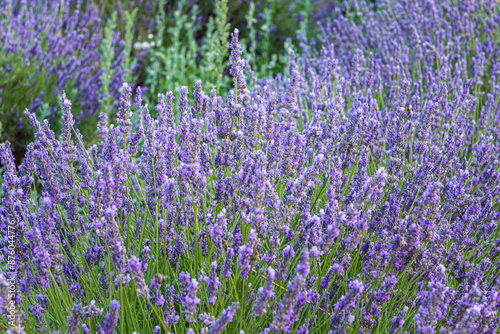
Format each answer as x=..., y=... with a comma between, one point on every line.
x=355, y=196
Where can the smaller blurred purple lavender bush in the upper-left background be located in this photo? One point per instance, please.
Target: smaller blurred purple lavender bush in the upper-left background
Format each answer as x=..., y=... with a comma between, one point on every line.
x=52, y=46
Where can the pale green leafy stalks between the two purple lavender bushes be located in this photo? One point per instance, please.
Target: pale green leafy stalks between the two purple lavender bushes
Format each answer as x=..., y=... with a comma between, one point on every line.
x=186, y=50
